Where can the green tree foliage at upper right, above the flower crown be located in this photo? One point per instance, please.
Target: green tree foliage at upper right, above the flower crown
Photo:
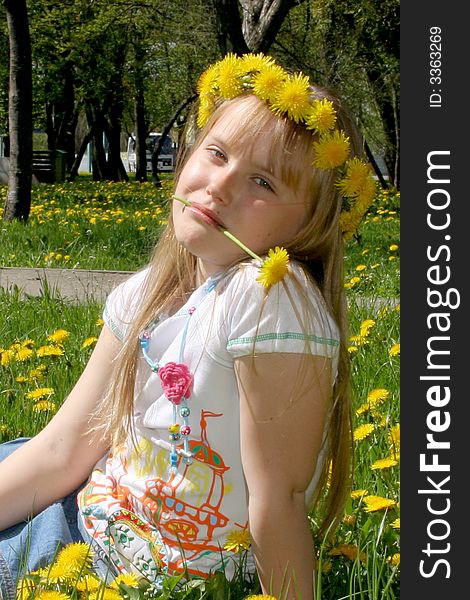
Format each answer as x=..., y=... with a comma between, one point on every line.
x=352, y=47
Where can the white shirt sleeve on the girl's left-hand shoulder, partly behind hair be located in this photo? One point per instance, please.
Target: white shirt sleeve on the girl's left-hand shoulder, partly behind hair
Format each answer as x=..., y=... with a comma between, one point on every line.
x=122, y=303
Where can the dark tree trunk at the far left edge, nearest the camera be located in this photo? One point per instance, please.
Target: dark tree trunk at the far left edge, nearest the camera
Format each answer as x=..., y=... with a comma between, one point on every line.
x=18, y=202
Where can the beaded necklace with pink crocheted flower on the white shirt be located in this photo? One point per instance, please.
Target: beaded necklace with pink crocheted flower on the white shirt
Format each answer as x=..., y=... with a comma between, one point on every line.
x=177, y=382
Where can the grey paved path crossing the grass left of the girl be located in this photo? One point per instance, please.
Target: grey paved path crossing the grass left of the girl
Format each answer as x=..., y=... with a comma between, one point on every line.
x=76, y=285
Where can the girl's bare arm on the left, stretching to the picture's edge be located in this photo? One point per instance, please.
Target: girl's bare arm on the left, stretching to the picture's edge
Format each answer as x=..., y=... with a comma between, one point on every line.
x=60, y=458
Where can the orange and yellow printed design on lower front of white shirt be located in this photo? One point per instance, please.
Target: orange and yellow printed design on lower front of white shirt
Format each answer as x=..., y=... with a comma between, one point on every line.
x=171, y=522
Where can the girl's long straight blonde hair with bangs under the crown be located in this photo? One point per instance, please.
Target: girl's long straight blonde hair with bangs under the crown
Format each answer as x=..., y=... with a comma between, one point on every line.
x=318, y=247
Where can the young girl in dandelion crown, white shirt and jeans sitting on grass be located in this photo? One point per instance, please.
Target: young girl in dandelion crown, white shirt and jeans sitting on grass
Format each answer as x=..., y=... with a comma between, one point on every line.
x=214, y=411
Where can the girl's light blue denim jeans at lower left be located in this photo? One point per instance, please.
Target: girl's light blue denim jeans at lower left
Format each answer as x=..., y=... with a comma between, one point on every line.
x=32, y=544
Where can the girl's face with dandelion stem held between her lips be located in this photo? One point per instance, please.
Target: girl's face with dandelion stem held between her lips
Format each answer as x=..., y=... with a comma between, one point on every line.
x=231, y=186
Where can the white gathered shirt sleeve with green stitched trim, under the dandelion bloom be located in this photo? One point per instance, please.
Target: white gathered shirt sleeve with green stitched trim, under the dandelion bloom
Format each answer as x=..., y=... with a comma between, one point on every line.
x=292, y=317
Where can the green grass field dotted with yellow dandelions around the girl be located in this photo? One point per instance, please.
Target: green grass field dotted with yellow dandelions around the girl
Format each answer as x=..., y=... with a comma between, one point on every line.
x=46, y=341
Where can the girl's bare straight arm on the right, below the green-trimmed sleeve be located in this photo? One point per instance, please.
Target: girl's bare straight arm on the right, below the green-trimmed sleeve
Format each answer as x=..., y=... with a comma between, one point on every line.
x=283, y=401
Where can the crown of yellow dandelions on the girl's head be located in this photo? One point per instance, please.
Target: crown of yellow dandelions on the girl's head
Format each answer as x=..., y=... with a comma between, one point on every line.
x=290, y=95
